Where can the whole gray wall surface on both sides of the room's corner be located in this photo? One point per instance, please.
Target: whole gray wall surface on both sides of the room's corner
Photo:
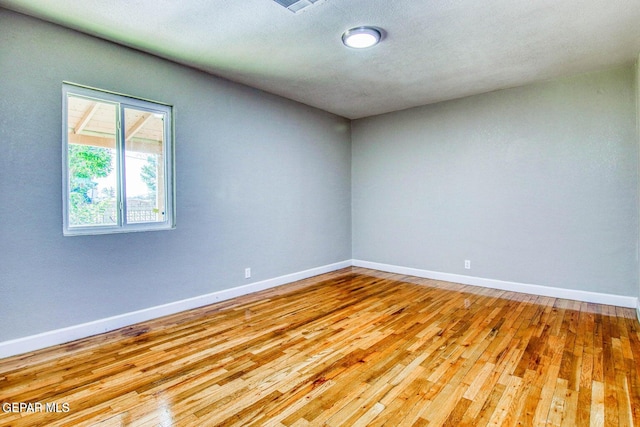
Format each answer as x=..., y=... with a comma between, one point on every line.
x=535, y=184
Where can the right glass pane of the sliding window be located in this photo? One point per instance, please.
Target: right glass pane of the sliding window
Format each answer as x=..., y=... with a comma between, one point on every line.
x=144, y=165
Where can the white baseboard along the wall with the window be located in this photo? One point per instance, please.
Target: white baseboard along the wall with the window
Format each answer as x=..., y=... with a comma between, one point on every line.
x=72, y=333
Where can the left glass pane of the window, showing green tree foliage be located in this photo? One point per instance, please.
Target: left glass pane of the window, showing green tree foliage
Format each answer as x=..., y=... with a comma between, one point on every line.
x=91, y=156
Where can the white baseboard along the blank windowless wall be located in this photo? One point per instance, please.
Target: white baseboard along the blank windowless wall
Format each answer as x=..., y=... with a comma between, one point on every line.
x=585, y=296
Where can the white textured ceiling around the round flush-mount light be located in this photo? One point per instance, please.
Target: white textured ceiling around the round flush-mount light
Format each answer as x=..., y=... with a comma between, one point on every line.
x=433, y=50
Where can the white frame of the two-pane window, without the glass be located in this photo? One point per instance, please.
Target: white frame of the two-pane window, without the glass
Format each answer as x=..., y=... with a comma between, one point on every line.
x=120, y=101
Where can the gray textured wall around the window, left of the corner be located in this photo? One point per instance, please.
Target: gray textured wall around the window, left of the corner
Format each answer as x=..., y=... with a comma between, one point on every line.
x=262, y=182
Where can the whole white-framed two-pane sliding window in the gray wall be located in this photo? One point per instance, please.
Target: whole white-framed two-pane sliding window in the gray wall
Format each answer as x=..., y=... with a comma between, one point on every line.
x=117, y=163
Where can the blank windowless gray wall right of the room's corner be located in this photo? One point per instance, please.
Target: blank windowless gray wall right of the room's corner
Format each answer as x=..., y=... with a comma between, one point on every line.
x=535, y=185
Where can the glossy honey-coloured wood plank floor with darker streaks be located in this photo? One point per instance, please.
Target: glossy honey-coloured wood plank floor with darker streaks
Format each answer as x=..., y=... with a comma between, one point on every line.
x=355, y=347
